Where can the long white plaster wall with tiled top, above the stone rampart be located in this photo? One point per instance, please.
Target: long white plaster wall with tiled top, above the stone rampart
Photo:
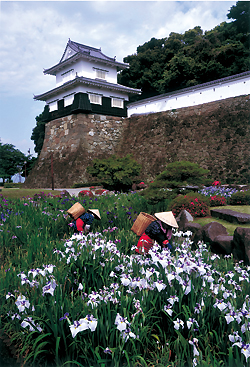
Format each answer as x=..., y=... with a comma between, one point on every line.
x=232, y=86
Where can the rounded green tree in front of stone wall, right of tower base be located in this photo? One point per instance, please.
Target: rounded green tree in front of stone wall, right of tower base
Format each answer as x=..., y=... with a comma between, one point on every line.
x=115, y=173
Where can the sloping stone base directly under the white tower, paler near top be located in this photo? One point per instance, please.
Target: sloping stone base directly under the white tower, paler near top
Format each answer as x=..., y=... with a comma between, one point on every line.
x=73, y=141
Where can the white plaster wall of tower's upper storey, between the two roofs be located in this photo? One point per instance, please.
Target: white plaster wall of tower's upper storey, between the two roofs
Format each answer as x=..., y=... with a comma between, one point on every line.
x=86, y=69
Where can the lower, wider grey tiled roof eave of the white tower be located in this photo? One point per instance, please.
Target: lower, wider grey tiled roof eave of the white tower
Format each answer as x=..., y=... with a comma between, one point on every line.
x=81, y=80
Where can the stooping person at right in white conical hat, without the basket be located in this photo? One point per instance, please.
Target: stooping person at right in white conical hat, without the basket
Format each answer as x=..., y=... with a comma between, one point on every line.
x=159, y=230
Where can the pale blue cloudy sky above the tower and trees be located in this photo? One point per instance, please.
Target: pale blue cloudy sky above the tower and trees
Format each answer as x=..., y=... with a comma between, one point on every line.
x=33, y=36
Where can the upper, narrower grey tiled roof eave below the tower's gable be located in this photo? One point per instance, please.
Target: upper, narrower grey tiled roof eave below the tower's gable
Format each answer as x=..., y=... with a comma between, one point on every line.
x=72, y=59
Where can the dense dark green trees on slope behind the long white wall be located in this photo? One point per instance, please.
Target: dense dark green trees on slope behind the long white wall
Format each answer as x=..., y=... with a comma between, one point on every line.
x=195, y=57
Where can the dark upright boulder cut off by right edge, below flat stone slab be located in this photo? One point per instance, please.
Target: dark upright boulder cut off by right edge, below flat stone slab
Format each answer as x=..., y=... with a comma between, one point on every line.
x=241, y=249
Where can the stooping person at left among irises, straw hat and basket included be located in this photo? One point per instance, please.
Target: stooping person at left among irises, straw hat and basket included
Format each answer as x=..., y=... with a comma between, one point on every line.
x=82, y=220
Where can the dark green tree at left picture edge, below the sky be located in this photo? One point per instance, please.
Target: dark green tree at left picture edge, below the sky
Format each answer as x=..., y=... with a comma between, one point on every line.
x=11, y=160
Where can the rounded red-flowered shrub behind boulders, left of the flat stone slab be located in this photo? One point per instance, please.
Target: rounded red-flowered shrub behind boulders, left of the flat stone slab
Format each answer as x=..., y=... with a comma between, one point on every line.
x=196, y=204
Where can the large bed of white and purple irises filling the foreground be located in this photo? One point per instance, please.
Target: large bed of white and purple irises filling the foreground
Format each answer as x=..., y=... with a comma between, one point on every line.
x=91, y=299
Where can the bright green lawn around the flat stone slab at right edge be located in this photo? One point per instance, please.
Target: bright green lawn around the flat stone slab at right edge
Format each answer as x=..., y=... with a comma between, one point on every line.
x=229, y=226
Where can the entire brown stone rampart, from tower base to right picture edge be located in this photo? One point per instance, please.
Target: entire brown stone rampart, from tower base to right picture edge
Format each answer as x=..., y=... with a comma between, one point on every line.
x=215, y=135
